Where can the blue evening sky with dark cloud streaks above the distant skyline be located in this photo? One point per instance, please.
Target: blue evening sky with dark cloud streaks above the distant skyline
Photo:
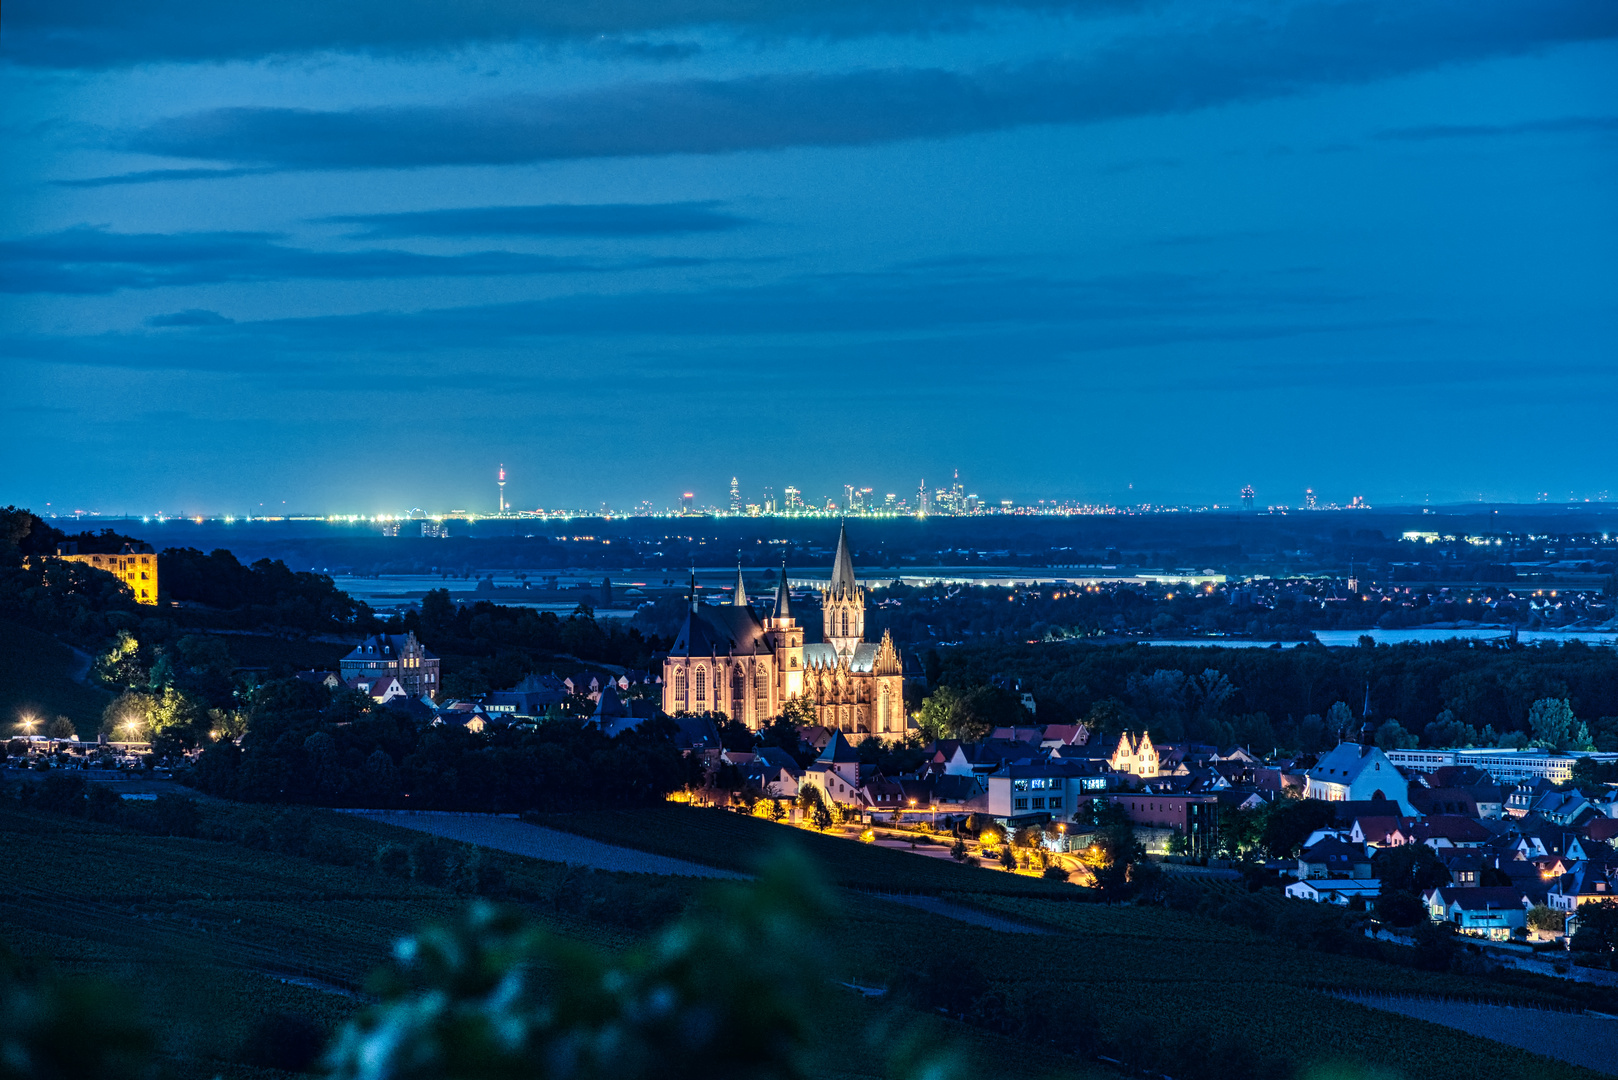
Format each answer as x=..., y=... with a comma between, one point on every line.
x=354, y=257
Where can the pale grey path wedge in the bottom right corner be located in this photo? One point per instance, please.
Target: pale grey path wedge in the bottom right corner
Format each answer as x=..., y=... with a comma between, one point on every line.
x=1577, y=1039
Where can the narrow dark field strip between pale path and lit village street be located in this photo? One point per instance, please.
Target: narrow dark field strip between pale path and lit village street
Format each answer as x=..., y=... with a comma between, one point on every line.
x=718, y=838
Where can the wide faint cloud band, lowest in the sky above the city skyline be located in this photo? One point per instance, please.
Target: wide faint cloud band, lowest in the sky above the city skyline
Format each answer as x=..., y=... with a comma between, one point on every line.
x=1038, y=318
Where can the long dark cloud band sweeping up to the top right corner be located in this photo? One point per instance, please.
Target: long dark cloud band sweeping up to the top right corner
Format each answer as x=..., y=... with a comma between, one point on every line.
x=1239, y=61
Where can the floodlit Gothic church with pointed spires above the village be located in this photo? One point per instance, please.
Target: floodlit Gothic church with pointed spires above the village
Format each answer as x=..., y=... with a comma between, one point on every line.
x=729, y=660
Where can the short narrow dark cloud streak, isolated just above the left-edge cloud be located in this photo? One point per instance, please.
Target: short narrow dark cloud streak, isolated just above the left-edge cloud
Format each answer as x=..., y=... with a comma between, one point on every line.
x=606, y=219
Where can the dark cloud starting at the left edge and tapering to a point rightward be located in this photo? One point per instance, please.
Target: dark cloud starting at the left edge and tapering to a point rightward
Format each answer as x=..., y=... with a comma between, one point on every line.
x=88, y=260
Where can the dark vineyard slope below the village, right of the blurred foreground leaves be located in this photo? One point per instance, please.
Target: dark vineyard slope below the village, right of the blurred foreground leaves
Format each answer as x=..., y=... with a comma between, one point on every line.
x=1158, y=972
